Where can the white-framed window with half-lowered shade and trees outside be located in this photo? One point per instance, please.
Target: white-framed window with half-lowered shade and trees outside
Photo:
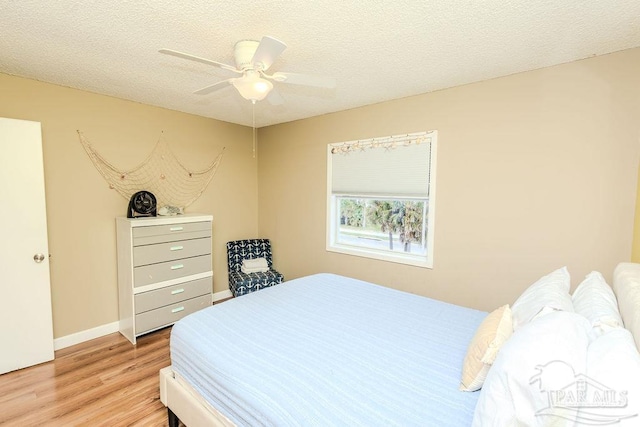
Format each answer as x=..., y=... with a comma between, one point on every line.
x=381, y=198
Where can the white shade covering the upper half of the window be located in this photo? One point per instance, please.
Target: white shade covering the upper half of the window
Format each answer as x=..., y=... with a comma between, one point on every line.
x=395, y=166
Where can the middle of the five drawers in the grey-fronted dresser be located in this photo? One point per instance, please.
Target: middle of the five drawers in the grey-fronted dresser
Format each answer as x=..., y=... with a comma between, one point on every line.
x=147, y=274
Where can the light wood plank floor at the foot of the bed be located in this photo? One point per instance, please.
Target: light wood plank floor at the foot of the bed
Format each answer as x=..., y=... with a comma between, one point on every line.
x=106, y=381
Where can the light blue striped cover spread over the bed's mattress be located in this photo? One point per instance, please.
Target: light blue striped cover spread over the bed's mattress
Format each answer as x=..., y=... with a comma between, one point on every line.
x=329, y=350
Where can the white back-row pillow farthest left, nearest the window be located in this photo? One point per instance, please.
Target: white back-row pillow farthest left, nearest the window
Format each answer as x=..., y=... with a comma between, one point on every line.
x=550, y=293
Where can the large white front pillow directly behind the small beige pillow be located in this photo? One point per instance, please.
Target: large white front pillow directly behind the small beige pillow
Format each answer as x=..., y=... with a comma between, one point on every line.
x=539, y=358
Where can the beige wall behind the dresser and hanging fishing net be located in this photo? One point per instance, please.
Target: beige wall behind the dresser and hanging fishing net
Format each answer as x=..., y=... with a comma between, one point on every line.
x=81, y=207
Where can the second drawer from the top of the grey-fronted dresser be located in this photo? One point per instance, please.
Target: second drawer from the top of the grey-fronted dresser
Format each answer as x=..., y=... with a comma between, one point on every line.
x=161, y=252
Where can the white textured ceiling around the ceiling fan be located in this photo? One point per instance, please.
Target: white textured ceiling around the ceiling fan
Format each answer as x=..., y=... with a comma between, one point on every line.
x=376, y=50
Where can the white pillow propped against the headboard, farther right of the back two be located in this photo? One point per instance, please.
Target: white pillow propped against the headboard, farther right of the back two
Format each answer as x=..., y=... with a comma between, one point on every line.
x=594, y=299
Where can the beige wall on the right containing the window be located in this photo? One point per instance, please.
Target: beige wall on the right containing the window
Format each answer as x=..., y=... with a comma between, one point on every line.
x=535, y=171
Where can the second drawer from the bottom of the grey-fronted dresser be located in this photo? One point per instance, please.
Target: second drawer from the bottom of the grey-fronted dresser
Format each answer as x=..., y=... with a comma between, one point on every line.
x=172, y=294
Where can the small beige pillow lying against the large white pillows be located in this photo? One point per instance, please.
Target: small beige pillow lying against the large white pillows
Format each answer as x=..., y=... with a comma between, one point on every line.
x=492, y=333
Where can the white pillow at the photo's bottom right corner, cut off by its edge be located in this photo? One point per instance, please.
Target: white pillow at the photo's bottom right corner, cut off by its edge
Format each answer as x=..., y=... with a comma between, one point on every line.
x=612, y=380
